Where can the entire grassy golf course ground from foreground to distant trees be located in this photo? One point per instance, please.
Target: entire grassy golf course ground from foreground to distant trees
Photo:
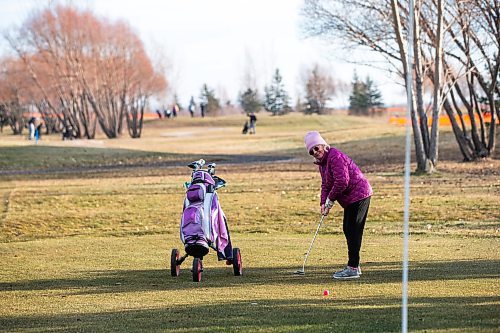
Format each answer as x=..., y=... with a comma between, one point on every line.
x=86, y=230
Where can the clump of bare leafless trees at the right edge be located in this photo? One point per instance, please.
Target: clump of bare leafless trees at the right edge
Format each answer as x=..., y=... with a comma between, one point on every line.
x=439, y=56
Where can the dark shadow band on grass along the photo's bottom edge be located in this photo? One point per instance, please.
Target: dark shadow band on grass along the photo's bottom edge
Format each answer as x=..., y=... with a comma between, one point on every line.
x=316, y=314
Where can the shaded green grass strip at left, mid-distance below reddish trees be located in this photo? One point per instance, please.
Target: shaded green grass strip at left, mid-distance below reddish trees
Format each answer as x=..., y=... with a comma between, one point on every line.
x=33, y=160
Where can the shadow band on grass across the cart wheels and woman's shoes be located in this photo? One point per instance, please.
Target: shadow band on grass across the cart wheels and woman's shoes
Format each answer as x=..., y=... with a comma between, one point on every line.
x=116, y=281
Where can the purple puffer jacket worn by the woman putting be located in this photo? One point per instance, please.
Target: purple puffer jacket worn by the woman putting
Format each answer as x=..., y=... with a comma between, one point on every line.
x=341, y=179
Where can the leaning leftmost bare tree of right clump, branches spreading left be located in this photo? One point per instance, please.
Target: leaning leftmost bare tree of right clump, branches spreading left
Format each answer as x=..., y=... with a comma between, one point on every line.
x=376, y=25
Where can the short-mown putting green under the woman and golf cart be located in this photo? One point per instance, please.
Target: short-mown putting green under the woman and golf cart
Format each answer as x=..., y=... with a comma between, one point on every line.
x=109, y=284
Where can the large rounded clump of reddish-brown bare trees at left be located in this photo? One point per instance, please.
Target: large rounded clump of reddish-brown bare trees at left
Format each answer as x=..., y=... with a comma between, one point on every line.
x=88, y=71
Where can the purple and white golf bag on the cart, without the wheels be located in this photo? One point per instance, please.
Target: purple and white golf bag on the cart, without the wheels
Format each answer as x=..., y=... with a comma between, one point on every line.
x=203, y=223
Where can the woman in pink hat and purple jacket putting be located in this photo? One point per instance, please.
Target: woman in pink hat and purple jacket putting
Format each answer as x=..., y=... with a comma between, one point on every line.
x=342, y=181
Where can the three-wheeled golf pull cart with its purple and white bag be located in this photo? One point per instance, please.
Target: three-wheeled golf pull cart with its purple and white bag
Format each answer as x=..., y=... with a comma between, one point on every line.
x=203, y=223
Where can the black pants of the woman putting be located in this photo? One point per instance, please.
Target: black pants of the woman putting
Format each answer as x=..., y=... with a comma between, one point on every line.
x=353, y=226
